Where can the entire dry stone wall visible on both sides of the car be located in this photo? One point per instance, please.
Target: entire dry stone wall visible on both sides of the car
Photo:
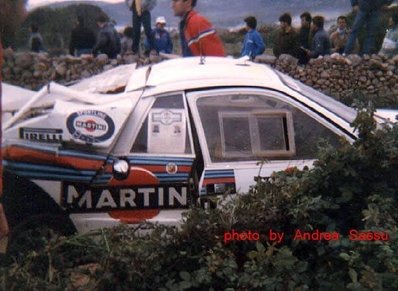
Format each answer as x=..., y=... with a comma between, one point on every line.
x=338, y=76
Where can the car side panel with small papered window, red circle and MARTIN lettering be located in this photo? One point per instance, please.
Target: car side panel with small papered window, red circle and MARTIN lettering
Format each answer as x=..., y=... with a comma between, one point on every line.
x=156, y=151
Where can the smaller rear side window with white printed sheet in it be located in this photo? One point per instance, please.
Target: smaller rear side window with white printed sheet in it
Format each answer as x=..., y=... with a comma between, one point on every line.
x=165, y=129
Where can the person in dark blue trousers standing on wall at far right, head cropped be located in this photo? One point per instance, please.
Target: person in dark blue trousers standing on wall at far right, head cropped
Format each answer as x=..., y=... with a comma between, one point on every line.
x=368, y=13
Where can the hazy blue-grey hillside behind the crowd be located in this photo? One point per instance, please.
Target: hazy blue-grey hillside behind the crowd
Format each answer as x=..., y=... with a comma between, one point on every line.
x=230, y=13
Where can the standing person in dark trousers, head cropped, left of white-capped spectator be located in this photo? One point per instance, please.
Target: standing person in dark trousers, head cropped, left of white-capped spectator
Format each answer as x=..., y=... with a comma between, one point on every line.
x=141, y=17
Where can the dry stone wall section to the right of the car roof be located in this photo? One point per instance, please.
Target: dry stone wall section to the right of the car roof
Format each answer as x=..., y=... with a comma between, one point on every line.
x=338, y=76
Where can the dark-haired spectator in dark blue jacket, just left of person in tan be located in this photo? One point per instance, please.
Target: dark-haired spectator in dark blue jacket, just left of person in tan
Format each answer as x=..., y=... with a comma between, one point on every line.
x=320, y=42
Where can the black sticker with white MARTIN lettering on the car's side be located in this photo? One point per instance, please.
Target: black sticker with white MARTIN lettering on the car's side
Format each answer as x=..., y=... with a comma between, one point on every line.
x=77, y=198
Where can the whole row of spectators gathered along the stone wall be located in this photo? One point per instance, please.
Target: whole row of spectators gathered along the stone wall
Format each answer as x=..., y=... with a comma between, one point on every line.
x=198, y=36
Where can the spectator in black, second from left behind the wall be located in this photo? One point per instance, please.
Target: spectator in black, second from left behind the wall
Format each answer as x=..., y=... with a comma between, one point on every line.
x=82, y=39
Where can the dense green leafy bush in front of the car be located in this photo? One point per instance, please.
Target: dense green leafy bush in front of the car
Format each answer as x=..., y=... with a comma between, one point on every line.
x=353, y=187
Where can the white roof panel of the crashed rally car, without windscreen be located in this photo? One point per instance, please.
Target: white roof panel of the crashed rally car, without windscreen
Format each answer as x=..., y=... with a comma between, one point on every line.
x=194, y=72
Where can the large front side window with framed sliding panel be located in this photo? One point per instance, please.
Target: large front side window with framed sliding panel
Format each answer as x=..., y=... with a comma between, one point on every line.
x=252, y=127
